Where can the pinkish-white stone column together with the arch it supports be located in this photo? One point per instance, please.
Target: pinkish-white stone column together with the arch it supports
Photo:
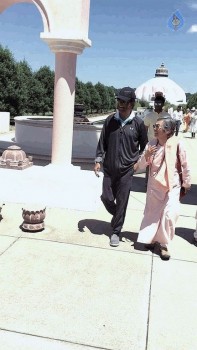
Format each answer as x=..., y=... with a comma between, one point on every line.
x=66, y=33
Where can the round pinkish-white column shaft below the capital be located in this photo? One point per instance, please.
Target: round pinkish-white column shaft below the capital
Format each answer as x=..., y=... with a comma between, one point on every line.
x=64, y=96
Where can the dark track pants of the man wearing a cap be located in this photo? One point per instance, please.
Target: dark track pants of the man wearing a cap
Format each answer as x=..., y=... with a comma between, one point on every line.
x=115, y=197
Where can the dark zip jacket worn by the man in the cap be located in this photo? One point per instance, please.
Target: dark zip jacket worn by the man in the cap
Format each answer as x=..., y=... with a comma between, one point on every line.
x=119, y=147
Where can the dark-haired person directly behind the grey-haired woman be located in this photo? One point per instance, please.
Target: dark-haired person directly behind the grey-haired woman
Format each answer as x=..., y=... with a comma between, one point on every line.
x=151, y=118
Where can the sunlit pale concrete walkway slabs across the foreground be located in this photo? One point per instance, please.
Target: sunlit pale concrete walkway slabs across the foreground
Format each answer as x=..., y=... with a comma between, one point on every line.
x=65, y=288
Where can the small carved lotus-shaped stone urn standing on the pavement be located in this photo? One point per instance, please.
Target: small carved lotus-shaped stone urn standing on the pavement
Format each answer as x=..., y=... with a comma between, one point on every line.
x=33, y=220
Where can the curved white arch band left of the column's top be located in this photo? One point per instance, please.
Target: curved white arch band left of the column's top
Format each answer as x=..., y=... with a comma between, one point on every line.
x=4, y=4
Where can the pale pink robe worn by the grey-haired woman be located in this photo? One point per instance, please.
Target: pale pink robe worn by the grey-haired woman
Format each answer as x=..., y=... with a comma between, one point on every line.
x=162, y=200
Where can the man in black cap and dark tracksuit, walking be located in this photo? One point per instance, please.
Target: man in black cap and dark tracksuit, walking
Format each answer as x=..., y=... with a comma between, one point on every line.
x=122, y=139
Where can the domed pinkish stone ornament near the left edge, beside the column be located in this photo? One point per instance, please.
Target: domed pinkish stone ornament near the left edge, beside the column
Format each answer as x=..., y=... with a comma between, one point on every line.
x=15, y=158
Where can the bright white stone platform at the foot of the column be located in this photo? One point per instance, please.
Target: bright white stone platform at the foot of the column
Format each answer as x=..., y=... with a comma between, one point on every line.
x=52, y=186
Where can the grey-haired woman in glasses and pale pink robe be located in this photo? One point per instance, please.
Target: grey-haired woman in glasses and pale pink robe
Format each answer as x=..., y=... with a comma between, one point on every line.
x=166, y=157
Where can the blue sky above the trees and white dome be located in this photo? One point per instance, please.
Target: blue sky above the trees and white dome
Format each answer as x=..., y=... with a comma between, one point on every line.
x=130, y=39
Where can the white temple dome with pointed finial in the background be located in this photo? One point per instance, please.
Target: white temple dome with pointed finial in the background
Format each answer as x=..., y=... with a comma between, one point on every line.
x=172, y=92
